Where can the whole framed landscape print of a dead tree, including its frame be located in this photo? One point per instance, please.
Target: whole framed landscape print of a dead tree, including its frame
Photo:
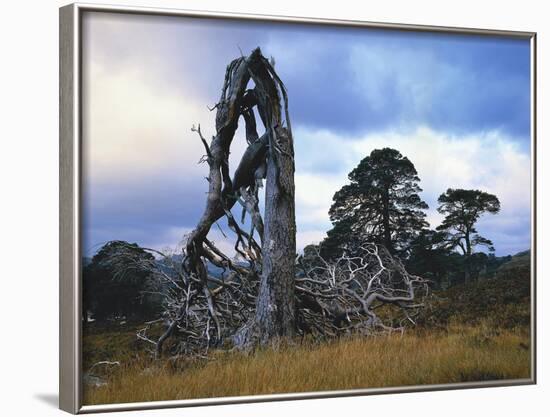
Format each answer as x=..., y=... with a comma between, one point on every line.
x=257, y=208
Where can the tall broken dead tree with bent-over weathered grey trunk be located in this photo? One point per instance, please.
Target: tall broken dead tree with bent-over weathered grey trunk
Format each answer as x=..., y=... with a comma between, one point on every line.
x=275, y=302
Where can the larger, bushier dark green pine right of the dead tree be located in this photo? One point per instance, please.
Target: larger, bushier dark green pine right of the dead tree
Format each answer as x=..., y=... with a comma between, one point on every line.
x=381, y=204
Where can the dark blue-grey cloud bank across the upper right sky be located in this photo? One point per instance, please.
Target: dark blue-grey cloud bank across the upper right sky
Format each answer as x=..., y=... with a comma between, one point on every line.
x=360, y=81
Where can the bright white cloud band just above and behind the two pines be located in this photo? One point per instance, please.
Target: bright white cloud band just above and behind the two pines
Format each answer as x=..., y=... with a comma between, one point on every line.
x=490, y=161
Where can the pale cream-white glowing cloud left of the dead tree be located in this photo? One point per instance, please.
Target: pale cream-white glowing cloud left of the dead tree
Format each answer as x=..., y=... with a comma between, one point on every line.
x=131, y=128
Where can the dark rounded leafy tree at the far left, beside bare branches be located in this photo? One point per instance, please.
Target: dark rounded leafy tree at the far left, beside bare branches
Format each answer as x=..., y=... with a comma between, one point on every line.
x=116, y=283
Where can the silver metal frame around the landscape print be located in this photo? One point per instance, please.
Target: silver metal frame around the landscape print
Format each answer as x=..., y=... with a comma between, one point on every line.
x=70, y=382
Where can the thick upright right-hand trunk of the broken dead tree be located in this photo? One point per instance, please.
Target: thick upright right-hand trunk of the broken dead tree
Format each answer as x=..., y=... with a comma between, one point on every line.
x=275, y=308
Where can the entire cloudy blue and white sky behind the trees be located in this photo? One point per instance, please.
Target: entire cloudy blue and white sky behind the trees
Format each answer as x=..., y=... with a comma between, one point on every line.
x=458, y=106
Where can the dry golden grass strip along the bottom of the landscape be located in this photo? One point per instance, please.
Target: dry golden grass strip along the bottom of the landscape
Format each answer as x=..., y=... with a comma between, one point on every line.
x=459, y=354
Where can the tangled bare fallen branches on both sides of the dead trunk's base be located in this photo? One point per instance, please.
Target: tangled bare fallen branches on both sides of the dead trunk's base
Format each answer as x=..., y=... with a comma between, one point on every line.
x=369, y=293
